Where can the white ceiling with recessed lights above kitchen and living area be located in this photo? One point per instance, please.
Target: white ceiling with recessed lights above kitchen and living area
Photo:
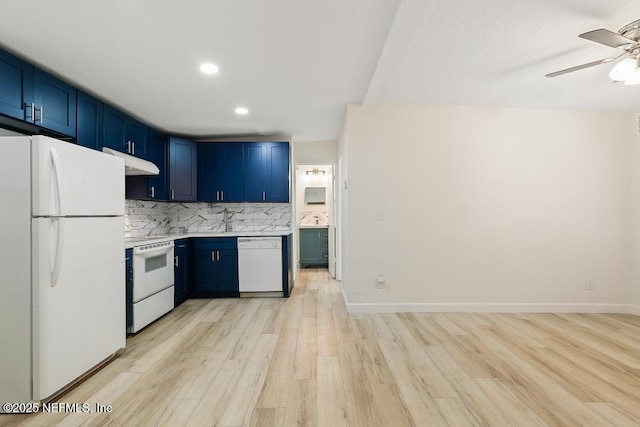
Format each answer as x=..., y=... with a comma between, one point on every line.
x=296, y=64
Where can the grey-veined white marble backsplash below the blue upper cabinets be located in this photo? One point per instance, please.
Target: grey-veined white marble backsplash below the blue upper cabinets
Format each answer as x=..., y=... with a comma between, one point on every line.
x=146, y=218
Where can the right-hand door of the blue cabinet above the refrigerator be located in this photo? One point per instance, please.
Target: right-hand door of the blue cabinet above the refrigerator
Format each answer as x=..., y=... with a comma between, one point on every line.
x=55, y=104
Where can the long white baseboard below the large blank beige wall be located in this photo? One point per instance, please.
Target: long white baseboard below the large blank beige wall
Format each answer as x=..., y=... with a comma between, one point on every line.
x=489, y=308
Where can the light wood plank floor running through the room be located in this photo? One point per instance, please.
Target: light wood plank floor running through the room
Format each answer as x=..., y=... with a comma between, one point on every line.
x=305, y=361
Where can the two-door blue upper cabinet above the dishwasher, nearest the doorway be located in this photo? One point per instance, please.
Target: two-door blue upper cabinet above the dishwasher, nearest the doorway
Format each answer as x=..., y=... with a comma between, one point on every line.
x=266, y=172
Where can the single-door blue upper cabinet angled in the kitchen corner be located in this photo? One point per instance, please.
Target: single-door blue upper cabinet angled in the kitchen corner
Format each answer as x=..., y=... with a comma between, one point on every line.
x=182, y=169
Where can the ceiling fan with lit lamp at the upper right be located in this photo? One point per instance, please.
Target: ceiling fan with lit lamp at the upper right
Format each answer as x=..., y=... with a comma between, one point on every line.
x=626, y=39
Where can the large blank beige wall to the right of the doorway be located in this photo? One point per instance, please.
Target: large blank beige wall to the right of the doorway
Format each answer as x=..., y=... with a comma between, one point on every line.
x=482, y=206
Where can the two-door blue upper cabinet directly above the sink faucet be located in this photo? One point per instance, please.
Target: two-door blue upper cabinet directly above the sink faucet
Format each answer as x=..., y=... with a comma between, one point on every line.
x=220, y=172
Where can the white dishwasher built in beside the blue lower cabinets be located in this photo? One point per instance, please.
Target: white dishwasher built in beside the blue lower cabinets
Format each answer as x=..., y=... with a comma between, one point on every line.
x=260, y=264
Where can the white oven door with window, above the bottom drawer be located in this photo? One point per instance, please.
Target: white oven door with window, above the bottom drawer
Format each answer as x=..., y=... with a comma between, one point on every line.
x=152, y=269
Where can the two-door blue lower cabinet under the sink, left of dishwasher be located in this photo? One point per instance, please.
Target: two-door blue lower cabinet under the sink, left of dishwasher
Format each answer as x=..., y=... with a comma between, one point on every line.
x=215, y=267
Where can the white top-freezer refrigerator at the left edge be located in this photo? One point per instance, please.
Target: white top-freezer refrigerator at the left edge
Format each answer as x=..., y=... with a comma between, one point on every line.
x=62, y=274
